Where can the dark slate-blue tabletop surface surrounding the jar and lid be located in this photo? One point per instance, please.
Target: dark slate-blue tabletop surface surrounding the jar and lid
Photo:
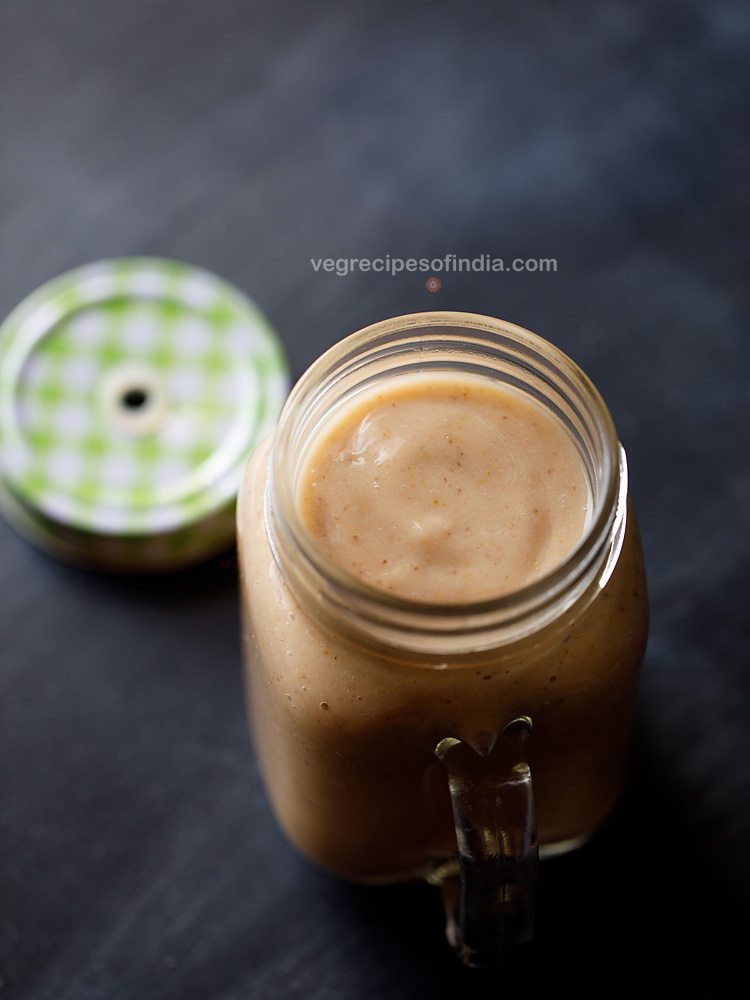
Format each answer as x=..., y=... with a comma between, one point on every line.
x=138, y=858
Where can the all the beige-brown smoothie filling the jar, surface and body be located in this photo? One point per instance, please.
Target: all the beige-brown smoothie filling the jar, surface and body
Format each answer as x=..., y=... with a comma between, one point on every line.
x=444, y=488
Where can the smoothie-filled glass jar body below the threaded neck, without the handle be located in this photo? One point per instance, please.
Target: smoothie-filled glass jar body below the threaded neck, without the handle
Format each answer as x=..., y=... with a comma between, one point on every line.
x=345, y=731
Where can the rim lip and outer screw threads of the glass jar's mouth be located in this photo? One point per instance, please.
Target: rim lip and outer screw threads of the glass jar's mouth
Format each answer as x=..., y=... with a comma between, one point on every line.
x=353, y=596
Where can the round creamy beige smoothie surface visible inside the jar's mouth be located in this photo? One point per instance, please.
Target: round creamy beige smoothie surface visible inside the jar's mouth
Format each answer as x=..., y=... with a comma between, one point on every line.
x=445, y=489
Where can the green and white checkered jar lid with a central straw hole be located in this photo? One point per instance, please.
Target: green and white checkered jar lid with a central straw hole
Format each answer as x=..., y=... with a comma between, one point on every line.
x=131, y=393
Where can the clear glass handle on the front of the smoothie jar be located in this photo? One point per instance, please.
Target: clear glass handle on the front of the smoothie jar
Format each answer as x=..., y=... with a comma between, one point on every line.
x=489, y=901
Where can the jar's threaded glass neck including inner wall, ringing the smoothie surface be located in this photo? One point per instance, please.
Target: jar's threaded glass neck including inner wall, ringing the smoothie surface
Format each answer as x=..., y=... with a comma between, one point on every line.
x=429, y=343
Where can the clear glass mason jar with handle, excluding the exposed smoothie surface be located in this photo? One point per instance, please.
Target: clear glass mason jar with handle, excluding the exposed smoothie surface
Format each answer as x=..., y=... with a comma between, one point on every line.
x=397, y=739
